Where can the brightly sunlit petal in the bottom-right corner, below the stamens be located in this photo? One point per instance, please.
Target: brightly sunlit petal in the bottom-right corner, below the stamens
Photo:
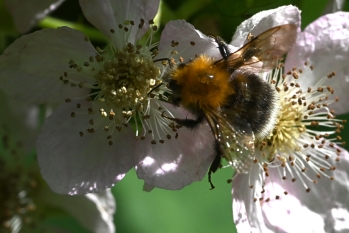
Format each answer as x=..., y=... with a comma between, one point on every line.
x=323, y=209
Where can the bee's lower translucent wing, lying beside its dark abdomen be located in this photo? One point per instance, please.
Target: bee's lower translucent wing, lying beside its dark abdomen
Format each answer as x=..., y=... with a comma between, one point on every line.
x=235, y=137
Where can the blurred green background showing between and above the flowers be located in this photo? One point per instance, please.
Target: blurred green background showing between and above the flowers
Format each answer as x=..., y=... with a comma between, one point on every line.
x=195, y=208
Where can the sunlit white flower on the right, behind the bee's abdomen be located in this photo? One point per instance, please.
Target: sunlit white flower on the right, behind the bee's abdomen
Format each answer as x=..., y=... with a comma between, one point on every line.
x=302, y=185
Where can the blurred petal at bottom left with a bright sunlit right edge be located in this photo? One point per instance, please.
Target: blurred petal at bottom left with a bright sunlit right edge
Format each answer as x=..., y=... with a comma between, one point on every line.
x=94, y=211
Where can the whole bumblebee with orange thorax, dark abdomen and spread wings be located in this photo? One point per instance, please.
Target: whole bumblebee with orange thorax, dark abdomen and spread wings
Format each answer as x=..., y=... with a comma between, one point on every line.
x=237, y=104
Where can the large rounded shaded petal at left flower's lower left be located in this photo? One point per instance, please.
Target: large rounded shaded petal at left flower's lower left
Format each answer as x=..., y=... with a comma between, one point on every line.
x=77, y=165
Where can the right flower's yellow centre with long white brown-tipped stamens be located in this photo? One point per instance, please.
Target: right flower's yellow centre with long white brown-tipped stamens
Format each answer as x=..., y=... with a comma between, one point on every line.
x=304, y=135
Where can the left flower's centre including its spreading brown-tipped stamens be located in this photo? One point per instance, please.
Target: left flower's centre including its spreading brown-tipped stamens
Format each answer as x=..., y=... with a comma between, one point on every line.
x=119, y=82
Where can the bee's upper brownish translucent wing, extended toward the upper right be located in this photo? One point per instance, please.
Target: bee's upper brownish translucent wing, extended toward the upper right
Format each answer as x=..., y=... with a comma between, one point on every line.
x=262, y=52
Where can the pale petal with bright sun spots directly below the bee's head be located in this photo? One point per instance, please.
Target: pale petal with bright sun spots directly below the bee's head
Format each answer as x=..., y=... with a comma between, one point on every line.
x=177, y=162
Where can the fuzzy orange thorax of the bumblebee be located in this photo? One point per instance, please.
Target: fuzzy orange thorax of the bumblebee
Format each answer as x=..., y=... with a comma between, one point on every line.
x=202, y=84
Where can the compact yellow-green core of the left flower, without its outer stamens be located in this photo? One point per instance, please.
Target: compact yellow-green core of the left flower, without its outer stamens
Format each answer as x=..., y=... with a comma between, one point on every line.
x=126, y=78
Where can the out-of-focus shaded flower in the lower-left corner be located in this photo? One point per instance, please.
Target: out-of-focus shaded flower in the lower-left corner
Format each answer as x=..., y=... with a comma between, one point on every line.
x=25, y=197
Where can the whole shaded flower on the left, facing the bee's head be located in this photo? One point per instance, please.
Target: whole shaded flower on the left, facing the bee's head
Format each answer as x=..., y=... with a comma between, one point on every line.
x=88, y=144
